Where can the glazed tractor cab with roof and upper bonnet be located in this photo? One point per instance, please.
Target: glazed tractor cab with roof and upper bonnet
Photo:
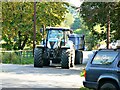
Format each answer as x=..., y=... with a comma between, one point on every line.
x=56, y=37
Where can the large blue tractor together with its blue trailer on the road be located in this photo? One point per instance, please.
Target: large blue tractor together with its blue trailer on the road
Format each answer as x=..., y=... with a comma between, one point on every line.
x=60, y=46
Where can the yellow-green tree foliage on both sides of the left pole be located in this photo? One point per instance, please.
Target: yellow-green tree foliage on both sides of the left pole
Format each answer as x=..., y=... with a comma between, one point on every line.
x=18, y=21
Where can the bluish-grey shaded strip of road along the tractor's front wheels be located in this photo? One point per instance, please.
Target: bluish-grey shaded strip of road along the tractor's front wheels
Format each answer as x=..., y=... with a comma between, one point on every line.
x=30, y=69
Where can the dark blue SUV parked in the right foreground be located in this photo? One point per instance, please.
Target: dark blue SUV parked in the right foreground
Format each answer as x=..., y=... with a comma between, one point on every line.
x=102, y=72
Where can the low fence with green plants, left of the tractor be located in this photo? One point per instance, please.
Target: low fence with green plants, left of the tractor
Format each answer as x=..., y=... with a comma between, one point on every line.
x=17, y=57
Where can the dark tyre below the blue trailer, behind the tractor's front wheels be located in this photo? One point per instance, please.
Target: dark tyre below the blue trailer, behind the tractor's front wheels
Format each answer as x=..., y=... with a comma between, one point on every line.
x=78, y=57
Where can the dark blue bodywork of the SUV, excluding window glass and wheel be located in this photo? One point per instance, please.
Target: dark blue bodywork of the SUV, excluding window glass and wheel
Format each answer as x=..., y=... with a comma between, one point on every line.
x=97, y=72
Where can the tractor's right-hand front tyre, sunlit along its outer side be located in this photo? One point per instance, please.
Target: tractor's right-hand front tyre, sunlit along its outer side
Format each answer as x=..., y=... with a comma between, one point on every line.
x=65, y=59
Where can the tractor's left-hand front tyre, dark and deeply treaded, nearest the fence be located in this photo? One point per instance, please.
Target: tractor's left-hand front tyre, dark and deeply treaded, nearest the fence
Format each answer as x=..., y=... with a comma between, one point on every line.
x=38, y=61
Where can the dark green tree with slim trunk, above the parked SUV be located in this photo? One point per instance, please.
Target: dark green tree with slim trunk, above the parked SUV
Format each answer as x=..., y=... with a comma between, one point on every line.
x=103, y=13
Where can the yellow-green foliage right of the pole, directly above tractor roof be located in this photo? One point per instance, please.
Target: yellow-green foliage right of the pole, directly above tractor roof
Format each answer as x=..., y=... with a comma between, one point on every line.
x=51, y=13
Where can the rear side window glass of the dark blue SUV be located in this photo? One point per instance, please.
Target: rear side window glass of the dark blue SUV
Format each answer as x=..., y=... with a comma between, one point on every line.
x=104, y=57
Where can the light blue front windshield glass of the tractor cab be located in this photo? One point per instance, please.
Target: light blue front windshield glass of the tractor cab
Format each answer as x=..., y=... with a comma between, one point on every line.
x=55, y=34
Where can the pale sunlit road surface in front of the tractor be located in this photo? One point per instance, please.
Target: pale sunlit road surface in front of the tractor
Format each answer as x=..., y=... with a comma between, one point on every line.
x=26, y=76
